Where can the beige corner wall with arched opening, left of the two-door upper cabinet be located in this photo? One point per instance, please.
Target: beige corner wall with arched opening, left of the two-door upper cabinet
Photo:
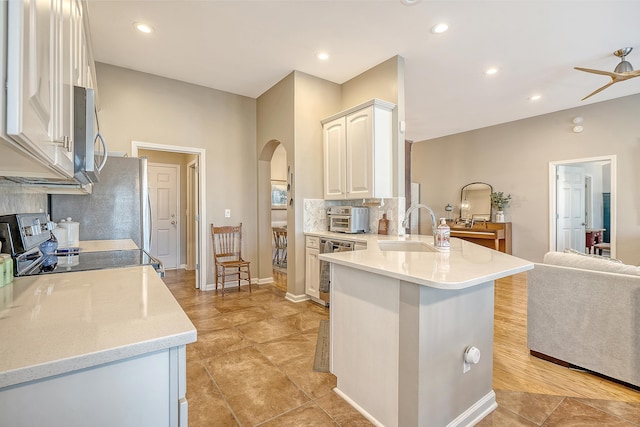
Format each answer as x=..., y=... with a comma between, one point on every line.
x=290, y=113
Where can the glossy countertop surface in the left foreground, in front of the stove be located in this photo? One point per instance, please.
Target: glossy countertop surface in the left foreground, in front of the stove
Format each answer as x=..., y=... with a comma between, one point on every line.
x=58, y=323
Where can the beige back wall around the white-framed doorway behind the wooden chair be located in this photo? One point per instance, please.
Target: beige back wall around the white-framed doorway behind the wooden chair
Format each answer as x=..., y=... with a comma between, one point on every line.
x=143, y=107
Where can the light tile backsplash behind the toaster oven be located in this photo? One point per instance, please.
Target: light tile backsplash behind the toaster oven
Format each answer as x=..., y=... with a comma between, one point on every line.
x=315, y=213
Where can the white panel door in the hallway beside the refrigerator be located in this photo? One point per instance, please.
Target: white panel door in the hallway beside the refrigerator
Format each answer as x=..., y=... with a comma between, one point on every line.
x=163, y=192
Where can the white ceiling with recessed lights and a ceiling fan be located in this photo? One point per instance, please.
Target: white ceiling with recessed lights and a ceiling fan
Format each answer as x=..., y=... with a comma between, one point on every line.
x=245, y=47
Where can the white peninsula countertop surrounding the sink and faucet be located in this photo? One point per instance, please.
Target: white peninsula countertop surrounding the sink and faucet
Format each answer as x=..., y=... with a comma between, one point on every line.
x=465, y=265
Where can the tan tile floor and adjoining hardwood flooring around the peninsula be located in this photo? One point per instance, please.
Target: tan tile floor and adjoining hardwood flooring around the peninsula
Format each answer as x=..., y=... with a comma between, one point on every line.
x=245, y=330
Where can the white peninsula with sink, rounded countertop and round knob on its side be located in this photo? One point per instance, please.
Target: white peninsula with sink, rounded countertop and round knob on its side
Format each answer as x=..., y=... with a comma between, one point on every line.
x=403, y=317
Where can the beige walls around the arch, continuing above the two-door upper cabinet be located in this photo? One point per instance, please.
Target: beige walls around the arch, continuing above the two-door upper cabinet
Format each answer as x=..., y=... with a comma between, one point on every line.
x=290, y=113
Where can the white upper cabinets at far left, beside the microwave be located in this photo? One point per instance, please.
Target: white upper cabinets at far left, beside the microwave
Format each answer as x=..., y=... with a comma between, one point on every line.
x=47, y=54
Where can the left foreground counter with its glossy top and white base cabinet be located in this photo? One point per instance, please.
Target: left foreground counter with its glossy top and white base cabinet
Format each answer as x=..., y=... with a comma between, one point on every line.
x=99, y=348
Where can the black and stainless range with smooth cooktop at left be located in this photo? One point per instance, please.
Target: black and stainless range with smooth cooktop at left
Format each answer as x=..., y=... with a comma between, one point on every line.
x=22, y=234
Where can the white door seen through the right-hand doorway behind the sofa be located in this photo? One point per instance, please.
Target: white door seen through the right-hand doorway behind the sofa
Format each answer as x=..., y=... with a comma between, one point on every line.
x=570, y=181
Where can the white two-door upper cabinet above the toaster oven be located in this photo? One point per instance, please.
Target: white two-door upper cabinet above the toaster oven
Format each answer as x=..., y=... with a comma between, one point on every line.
x=358, y=154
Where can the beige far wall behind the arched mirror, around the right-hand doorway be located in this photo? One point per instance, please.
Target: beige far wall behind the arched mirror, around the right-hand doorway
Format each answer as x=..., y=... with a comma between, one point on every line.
x=514, y=158
